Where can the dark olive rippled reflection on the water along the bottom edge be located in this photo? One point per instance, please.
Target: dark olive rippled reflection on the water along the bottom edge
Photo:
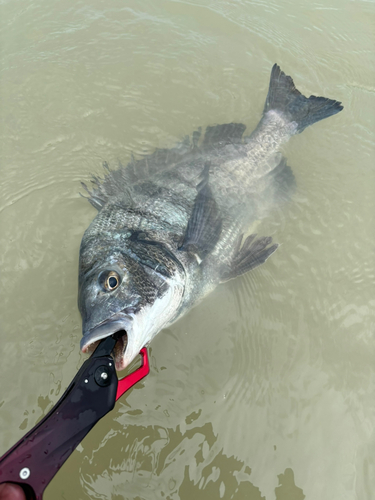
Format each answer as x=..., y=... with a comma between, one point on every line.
x=175, y=464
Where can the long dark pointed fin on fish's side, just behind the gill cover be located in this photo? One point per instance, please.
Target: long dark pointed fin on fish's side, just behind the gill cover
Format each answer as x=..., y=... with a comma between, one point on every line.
x=205, y=224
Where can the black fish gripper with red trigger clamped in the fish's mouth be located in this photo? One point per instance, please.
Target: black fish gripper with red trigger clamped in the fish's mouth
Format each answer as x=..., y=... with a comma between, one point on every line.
x=39, y=454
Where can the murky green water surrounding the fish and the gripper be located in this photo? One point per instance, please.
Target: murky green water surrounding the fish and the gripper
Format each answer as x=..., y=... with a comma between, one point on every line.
x=265, y=390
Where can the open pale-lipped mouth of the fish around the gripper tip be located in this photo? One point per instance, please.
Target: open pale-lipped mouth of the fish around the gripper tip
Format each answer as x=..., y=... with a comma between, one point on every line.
x=121, y=327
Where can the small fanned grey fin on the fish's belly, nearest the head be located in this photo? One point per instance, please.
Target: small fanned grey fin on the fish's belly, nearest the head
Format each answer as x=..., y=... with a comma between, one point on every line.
x=252, y=253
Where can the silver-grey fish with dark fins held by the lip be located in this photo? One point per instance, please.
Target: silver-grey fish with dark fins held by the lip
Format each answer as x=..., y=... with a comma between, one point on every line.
x=172, y=225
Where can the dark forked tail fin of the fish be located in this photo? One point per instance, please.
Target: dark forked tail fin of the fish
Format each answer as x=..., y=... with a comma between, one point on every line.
x=283, y=96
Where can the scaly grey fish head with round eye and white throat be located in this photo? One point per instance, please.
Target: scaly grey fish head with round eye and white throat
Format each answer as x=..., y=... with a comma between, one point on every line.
x=135, y=290
